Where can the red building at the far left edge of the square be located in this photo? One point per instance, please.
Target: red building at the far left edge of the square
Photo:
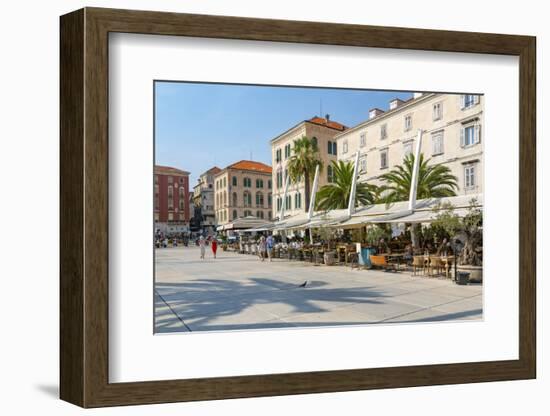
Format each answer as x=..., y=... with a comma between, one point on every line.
x=171, y=199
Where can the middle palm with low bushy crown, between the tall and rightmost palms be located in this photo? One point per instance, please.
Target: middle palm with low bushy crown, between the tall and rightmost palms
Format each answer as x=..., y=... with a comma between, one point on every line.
x=336, y=195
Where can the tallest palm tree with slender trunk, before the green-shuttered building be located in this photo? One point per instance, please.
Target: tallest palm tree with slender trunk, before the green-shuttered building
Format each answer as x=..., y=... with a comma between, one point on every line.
x=305, y=158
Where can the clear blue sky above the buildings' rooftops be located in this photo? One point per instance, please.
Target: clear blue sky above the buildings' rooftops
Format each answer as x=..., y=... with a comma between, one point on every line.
x=199, y=125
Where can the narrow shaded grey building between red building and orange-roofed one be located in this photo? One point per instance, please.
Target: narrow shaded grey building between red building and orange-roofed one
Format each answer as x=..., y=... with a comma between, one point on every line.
x=203, y=200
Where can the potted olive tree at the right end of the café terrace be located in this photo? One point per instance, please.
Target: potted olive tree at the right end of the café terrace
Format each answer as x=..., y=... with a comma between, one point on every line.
x=468, y=230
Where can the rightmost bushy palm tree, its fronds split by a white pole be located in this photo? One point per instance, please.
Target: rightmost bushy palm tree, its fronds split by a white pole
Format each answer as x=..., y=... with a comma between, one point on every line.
x=434, y=181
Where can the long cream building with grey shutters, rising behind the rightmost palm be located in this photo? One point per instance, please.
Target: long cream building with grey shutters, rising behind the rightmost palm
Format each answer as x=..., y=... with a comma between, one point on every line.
x=452, y=136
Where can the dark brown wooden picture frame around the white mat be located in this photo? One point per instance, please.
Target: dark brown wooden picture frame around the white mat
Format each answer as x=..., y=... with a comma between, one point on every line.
x=84, y=207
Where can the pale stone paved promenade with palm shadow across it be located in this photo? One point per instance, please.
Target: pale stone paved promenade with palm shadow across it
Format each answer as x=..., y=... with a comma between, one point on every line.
x=237, y=291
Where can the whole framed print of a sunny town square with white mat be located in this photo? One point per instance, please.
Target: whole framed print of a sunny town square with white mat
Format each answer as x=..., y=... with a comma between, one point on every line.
x=255, y=207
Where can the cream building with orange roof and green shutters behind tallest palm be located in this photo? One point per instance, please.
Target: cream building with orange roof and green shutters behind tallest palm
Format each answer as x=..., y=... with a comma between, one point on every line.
x=320, y=130
